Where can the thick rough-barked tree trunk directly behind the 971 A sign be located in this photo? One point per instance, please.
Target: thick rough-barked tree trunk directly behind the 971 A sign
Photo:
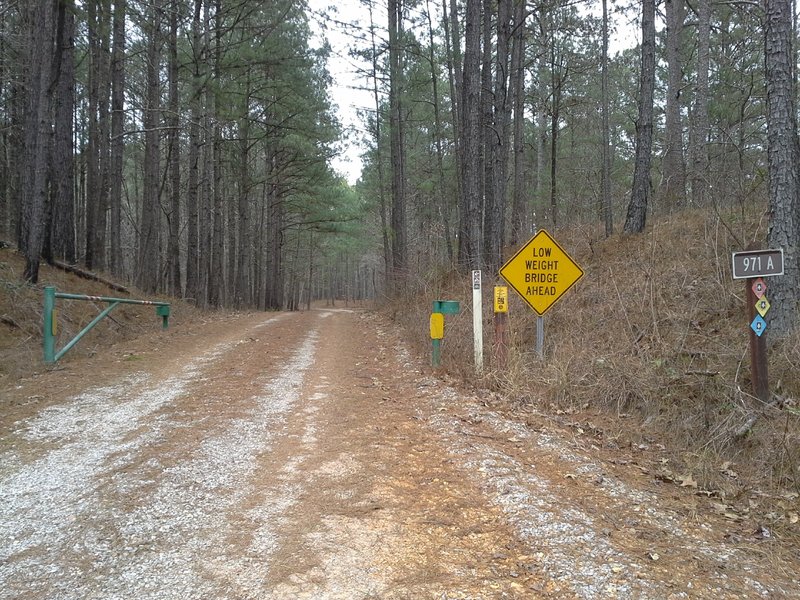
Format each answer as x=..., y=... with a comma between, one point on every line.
x=783, y=155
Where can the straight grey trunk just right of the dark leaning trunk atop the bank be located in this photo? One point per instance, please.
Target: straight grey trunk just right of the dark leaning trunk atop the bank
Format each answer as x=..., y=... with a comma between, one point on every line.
x=673, y=182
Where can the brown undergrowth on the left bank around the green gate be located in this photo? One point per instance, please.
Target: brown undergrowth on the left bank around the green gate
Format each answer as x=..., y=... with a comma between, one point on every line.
x=21, y=307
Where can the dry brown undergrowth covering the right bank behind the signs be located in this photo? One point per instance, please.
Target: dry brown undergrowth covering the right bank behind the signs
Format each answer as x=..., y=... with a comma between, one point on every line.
x=652, y=346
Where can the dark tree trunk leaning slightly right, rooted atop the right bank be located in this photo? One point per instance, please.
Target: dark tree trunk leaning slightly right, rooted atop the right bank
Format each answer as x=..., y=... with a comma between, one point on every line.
x=637, y=207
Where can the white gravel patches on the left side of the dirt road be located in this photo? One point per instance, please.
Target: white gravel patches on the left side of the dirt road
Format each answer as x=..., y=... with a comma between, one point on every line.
x=89, y=519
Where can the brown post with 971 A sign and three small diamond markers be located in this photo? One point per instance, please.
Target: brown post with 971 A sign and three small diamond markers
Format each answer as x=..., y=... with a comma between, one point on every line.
x=753, y=266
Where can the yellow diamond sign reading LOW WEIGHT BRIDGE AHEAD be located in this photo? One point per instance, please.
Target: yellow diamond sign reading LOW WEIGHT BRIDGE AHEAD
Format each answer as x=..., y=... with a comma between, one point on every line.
x=541, y=271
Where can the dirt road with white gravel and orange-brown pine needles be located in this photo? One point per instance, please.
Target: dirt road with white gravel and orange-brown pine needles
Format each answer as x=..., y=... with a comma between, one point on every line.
x=307, y=455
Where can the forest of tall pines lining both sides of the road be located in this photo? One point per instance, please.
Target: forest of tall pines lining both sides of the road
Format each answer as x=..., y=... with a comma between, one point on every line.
x=186, y=145
